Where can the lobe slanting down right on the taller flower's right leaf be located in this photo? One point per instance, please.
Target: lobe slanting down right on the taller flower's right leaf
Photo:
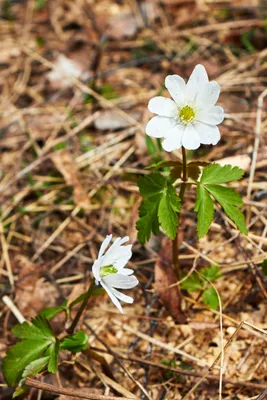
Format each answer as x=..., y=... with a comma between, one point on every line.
x=228, y=199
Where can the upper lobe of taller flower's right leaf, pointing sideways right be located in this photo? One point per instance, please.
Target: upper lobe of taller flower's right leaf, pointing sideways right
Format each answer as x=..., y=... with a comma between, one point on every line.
x=215, y=174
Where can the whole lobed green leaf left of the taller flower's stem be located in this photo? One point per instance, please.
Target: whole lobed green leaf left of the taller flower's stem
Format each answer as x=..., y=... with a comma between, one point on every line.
x=160, y=206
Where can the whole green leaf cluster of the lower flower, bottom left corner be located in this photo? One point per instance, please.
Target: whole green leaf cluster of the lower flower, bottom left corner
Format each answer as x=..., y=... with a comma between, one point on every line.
x=38, y=349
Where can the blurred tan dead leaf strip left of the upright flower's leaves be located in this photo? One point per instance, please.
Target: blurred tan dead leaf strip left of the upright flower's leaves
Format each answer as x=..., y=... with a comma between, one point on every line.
x=65, y=164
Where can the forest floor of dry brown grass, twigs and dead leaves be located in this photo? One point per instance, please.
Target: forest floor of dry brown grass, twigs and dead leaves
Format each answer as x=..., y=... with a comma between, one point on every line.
x=71, y=150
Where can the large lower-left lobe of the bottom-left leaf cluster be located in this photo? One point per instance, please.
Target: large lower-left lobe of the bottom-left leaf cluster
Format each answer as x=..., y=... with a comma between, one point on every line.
x=19, y=356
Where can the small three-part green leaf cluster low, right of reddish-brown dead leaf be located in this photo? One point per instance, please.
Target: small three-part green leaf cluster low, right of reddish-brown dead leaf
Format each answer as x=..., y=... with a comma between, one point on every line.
x=200, y=281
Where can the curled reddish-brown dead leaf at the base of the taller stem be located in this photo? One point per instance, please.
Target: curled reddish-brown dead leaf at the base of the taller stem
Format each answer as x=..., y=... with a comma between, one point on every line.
x=164, y=278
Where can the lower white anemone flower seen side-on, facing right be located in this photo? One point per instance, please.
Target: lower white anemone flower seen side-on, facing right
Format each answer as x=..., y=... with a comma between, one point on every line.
x=109, y=270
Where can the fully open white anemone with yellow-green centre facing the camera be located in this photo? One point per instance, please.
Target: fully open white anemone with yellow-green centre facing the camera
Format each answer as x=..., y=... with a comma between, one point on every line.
x=191, y=118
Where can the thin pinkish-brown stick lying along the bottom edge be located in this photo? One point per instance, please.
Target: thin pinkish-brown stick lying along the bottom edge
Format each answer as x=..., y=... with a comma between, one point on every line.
x=69, y=392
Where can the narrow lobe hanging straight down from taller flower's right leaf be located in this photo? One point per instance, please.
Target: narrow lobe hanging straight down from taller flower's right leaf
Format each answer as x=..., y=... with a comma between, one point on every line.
x=205, y=209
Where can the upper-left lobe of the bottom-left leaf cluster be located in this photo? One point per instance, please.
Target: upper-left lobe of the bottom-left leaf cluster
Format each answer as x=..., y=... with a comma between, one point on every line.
x=40, y=329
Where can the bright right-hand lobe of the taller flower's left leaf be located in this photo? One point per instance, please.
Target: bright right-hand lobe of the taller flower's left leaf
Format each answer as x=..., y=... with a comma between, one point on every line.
x=169, y=206
